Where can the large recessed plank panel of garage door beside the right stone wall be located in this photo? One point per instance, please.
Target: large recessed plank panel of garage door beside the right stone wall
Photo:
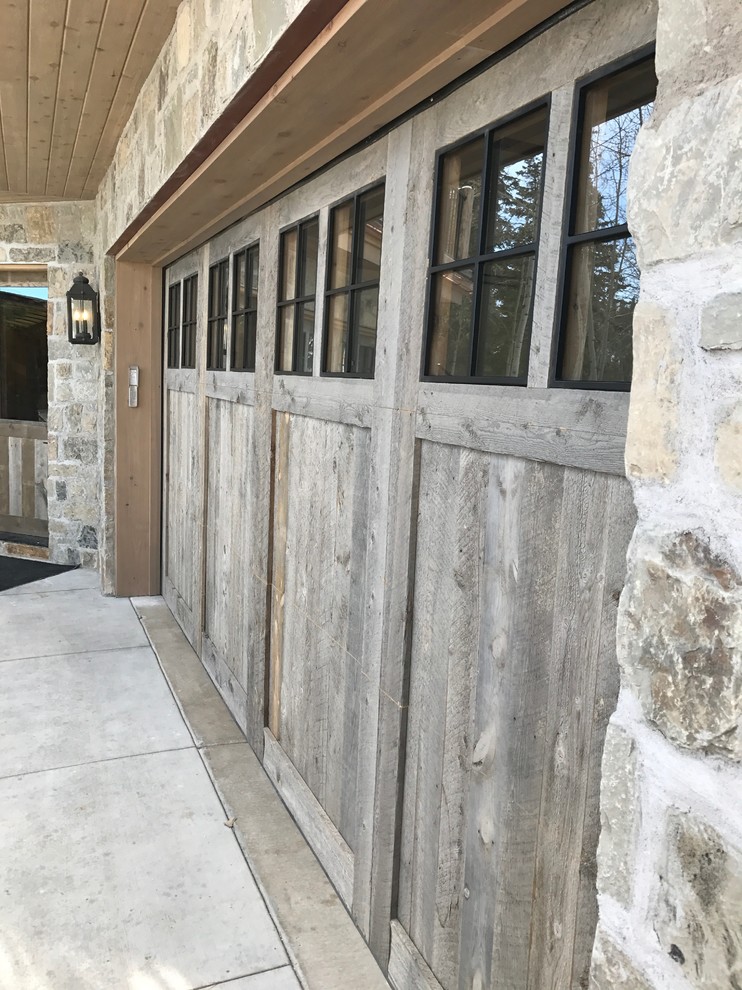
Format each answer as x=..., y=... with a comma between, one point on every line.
x=513, y=631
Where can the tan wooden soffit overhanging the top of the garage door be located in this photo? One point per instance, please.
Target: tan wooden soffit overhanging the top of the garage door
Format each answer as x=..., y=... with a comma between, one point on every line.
x=375, y=60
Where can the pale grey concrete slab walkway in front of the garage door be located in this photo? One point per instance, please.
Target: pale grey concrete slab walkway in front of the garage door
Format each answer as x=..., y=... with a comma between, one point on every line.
x=116, y=868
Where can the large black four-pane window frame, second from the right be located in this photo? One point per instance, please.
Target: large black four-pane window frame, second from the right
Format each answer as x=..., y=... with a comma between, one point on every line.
x=478, y=261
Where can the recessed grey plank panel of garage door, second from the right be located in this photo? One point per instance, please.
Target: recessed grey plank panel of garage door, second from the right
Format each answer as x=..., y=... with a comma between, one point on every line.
x=322, y=615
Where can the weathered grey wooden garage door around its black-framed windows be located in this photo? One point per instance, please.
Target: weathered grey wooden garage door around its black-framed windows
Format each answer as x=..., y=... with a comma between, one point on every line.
x=407, y=590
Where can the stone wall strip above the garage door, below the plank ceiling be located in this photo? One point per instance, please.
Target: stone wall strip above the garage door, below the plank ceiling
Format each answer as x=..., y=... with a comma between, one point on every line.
x=213, y=49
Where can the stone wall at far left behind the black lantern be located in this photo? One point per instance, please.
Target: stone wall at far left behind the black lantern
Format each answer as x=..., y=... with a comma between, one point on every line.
x=62, y=236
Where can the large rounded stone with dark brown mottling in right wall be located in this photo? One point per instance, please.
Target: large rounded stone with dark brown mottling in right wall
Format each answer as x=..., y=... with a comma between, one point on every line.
x=680, y=642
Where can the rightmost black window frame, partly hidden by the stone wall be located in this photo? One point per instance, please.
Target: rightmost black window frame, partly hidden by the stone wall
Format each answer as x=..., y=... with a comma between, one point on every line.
x=569, y=239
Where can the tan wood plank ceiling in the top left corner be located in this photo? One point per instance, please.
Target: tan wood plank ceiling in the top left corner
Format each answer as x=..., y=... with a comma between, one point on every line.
x=70, y=73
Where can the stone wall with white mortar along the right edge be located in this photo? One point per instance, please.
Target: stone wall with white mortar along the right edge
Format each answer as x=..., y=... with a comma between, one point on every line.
x=670, y=858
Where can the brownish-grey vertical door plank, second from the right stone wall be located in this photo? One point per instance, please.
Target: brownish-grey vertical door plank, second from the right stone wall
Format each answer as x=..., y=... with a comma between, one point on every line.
x=578, y=605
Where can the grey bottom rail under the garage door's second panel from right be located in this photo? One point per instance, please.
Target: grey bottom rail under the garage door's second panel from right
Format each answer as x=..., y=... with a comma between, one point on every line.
x=329, y=846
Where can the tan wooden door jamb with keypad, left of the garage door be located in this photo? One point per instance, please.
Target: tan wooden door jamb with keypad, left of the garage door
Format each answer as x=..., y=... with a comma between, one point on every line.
x=138, y=442
